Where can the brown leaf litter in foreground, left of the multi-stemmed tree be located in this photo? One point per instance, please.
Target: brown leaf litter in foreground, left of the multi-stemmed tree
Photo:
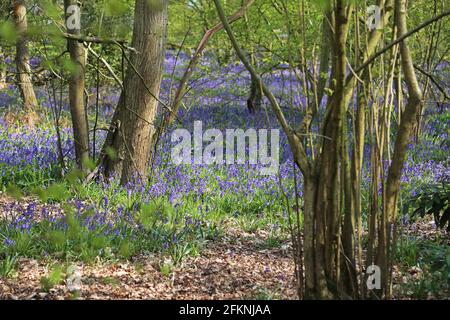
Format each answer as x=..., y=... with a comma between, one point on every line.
x=237, y=266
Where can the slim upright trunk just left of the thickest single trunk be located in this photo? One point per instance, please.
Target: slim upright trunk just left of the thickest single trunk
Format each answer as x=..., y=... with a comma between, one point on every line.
x=76, y=87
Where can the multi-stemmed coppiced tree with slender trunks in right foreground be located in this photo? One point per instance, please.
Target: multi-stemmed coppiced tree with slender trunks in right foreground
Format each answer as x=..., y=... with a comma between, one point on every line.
x=330, y=210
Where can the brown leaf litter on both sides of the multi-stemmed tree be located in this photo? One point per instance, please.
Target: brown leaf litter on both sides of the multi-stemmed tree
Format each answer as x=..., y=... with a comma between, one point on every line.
x=238, y=265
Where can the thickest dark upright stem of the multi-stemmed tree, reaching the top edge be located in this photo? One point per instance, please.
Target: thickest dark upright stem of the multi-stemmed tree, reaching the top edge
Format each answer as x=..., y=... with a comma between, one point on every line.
x=327, y=207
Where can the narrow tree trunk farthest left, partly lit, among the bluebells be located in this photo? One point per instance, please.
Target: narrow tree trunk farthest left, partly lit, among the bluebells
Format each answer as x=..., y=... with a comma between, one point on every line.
x=23, y=56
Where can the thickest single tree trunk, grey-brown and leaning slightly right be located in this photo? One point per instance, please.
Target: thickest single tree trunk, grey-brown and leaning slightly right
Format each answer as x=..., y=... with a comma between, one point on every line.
x=136, y=112
